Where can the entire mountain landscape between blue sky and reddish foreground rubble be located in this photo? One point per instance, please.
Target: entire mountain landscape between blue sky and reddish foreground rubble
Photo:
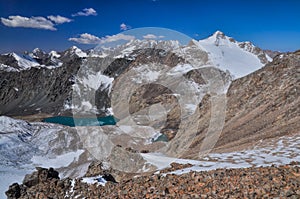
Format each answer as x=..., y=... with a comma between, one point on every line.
x=213, y=103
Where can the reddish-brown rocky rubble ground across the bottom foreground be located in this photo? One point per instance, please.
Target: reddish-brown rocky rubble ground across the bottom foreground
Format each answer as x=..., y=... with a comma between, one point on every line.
x=263, y=182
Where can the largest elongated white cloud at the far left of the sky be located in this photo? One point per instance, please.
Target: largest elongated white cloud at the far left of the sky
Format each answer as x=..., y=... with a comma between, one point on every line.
x=25, y=22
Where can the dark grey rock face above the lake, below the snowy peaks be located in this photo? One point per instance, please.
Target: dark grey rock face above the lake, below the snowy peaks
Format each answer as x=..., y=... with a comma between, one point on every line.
x=44, y=90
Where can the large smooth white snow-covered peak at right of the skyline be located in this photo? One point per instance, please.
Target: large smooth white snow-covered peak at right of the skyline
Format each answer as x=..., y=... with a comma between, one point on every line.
x=240, y=58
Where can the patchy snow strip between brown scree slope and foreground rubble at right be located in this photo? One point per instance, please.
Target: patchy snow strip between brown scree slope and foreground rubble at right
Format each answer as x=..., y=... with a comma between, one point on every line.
x=283, y=151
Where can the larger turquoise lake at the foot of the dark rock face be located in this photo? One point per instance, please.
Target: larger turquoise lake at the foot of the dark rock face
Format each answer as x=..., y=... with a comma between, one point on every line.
x=70, y=121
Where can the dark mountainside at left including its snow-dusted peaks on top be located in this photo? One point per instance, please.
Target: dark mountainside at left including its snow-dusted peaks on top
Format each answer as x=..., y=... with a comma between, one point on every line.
x=39, y=85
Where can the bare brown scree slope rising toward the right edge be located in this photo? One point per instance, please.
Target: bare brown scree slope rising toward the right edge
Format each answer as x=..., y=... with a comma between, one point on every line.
x=261, y=105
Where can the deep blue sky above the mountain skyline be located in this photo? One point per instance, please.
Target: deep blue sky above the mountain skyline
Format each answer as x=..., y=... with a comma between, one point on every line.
x=271, y=25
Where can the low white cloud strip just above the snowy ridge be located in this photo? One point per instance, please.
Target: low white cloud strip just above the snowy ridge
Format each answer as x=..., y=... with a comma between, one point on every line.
x=91, y=39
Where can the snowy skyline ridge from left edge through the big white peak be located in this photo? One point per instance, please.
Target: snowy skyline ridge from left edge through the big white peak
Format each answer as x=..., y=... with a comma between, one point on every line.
x=224, y=52
